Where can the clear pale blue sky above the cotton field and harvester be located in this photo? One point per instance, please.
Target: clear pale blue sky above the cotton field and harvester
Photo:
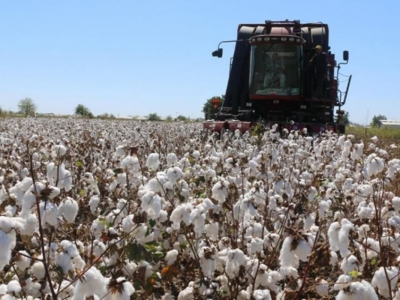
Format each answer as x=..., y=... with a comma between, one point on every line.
x=145, y=56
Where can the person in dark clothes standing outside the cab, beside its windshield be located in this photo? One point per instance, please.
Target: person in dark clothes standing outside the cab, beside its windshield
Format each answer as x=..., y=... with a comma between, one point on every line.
x=319, y=65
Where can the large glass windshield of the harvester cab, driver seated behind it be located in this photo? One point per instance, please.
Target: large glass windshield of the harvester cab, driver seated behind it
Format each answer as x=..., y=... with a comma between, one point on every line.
x=275, y=69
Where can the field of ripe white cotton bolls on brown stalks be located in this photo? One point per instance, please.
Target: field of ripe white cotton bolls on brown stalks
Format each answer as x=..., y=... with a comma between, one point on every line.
x=95, y=209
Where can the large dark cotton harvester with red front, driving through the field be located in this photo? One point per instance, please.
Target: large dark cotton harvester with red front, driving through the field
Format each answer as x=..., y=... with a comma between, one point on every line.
x=274, y=78
